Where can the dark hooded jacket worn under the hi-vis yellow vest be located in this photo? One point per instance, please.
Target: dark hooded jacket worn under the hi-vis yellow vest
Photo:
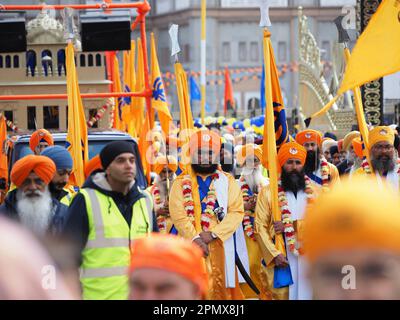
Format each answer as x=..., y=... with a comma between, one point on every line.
x=77, y=225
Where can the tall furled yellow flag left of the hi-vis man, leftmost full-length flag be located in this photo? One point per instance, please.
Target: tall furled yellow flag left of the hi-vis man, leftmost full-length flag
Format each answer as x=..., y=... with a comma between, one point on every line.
x=77, y=136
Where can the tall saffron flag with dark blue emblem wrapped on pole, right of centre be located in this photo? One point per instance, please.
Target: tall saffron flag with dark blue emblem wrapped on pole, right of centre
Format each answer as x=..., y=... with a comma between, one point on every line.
x=275, y=129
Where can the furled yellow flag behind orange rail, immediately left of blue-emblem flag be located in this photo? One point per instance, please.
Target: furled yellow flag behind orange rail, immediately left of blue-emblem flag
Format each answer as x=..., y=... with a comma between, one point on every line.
x=137, y=106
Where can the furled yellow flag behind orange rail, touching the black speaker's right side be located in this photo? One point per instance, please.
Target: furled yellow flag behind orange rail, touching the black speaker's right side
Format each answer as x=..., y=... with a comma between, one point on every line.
x=129, y=86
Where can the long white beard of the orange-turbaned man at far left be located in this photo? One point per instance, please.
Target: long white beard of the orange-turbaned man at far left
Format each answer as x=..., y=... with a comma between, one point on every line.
x=35, y=213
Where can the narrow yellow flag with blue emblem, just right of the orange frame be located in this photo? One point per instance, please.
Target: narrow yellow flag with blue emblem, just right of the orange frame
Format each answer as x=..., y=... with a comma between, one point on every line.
x=159, y=99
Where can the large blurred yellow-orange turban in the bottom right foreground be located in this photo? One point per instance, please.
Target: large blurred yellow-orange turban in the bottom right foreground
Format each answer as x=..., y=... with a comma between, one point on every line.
x=357, y=214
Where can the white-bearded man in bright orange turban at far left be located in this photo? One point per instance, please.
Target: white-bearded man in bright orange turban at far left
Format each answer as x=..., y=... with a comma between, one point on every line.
x=31, y=202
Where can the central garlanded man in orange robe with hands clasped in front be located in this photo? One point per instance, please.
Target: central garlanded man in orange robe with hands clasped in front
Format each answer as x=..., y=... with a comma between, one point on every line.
x=206, y=207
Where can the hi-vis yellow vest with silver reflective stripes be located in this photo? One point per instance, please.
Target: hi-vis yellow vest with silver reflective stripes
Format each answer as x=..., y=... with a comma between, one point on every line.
x=106, y=257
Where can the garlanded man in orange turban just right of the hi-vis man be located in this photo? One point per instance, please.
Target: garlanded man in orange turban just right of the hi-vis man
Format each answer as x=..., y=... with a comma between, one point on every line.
x=165, y=168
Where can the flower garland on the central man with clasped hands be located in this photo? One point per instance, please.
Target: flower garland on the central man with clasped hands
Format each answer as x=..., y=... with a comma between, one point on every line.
x=210, y=201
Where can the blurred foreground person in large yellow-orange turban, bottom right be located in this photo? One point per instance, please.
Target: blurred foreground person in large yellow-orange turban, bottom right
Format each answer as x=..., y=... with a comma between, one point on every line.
x=353, y=232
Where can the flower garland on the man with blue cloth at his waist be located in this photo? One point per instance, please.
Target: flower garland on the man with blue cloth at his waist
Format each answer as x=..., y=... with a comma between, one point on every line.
x=289, y=231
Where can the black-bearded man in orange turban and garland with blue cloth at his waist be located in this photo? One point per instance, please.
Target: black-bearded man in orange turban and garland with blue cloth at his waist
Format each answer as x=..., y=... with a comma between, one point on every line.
x=295, y=192
